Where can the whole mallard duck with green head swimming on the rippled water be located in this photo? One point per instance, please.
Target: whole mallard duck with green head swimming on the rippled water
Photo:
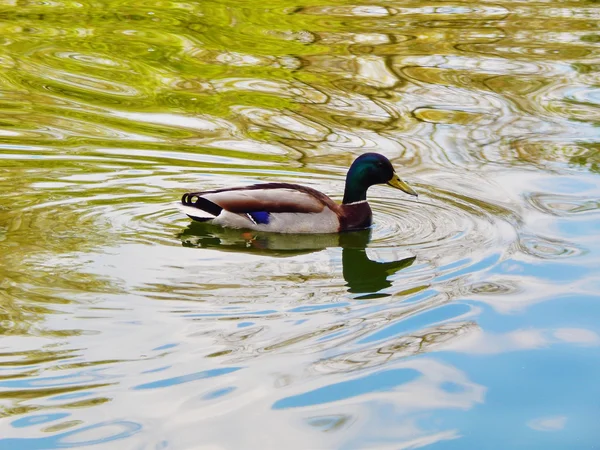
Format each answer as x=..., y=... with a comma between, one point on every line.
x=292, y=208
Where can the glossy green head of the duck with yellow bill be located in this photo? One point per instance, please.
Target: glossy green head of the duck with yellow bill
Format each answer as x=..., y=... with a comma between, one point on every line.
x=370, y=169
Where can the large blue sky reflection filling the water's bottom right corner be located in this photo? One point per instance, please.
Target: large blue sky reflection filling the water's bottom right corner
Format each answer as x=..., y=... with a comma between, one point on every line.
x=532, y=393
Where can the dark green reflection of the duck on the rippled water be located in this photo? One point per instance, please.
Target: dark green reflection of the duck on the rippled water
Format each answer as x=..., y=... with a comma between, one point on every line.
x=362, y=275
